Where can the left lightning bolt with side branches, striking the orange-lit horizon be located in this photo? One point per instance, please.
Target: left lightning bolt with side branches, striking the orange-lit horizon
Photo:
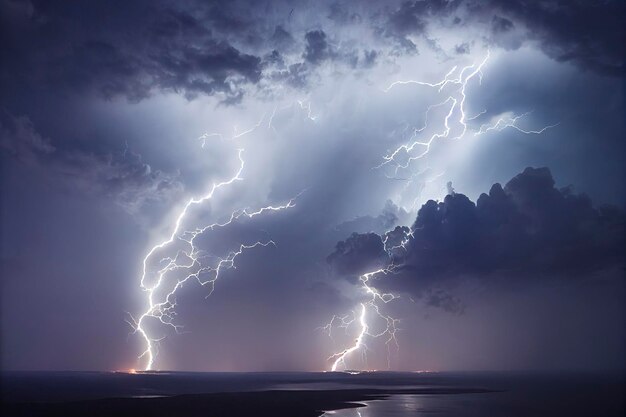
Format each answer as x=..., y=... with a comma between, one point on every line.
x=204, y=268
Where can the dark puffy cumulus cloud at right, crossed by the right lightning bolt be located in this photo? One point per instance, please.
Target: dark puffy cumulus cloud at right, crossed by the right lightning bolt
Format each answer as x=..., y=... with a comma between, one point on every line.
x=528, y=229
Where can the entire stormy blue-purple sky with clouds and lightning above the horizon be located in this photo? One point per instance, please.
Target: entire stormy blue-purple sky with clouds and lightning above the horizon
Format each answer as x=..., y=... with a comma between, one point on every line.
x=312, y=185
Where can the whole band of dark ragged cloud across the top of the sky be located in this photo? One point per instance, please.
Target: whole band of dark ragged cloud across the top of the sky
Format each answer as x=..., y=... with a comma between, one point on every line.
x=219, y=48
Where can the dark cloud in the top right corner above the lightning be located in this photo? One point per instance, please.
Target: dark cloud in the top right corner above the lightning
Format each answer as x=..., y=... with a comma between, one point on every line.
x=587, y=33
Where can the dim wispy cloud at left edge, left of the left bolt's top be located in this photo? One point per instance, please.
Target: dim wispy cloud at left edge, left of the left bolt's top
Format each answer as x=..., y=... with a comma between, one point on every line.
x=122, y=176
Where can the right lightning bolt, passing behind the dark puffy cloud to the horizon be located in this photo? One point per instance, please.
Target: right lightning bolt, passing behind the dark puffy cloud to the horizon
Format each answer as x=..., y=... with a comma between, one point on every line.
x=454, y=126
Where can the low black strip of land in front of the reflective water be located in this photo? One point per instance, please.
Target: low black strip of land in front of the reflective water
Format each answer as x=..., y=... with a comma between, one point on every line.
x=275, y=403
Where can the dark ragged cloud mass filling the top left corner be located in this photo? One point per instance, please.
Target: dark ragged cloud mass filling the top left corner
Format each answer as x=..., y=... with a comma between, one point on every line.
x=161, y=49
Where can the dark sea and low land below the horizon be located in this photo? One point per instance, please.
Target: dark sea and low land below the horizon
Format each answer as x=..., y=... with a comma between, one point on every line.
x=395, y=393
